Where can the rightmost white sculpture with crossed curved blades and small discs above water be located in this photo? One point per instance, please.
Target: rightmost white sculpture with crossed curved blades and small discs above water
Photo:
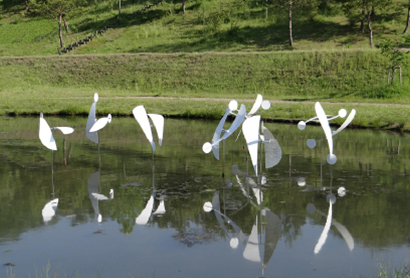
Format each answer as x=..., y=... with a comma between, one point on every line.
x=324, y=119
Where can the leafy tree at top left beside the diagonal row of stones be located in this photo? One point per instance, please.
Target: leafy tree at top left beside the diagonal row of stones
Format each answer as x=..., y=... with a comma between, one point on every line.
x=56, y=10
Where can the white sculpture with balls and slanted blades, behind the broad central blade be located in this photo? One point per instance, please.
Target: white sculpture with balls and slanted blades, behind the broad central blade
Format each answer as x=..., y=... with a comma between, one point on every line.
x=241, y=115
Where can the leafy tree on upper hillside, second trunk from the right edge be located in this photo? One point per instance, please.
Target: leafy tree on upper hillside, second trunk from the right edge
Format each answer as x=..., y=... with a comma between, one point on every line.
x=364, y=10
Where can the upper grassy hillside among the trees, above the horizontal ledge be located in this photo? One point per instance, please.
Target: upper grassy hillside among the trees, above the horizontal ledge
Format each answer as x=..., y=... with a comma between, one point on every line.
x=217, y=25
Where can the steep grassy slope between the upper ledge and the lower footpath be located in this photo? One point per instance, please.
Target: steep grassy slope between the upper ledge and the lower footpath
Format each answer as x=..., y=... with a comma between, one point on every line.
x=326, y=75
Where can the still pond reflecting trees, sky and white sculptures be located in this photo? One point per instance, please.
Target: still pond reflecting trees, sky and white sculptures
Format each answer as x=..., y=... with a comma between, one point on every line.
x=123, y=212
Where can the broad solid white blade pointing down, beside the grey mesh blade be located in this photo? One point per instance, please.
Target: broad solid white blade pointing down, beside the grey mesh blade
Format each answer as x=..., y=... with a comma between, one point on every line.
x=250, y=129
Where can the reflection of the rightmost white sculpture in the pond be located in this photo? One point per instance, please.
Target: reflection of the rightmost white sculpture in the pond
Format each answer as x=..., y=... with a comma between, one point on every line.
x=331, y=199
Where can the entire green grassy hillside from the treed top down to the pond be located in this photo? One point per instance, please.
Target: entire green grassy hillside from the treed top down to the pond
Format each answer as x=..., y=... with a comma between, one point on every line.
x=217, y=49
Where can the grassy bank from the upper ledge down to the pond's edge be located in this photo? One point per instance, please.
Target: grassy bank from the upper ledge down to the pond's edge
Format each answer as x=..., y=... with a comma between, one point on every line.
x=65, y=85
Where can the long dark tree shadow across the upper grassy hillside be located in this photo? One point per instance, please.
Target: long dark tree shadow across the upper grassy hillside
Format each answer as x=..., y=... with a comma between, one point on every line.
x=264, y=37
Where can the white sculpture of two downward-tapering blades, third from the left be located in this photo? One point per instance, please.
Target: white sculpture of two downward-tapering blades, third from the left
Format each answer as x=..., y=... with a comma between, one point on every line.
x=140, y=114
